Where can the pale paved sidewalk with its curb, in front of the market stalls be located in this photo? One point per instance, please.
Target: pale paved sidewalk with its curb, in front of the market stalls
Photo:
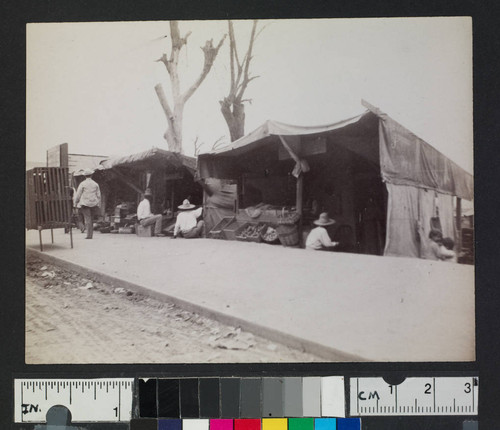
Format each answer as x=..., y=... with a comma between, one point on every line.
x=343, y=307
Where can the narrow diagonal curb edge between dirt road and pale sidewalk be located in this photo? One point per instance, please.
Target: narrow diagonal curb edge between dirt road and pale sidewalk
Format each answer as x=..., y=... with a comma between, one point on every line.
x=329, y=354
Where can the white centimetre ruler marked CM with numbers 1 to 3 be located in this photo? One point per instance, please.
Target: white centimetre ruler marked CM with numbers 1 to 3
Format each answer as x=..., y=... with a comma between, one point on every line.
x=414, y=396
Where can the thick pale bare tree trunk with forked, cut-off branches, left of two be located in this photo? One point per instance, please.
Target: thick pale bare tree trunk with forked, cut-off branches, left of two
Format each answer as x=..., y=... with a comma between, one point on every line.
x=174, y=114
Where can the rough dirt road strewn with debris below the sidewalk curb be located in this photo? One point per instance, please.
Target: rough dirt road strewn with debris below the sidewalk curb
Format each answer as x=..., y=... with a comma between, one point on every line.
x=77, y=320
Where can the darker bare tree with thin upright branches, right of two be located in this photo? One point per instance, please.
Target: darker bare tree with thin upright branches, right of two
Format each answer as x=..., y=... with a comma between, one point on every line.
x=232, y=106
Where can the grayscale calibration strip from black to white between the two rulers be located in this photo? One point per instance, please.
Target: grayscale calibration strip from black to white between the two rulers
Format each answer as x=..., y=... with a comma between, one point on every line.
x=293, y=397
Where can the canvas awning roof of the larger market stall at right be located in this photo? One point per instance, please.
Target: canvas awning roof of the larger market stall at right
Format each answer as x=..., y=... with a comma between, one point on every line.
x=404, y=158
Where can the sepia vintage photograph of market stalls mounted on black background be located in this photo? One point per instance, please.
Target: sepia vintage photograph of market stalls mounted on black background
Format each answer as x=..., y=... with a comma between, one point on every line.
x=250, y=191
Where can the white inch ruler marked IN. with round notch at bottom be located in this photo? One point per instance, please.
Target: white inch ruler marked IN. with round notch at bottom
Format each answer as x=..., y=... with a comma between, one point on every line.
x=88, y=400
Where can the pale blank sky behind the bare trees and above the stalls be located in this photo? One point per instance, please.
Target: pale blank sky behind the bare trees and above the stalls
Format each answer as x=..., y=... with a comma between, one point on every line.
x=92, y=84
